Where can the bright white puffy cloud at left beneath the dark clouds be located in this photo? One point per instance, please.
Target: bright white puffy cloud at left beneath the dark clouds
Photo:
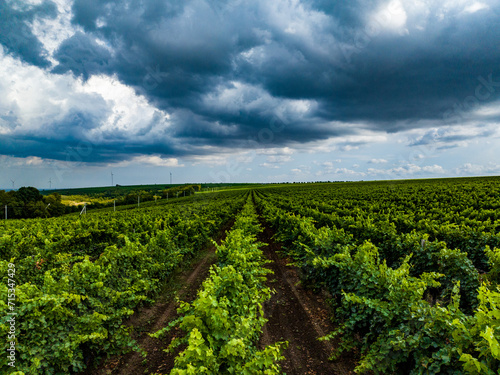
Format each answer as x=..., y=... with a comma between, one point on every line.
x=45, y=104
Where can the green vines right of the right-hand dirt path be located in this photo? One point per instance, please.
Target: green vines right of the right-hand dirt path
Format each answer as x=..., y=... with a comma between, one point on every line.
x=403, y=262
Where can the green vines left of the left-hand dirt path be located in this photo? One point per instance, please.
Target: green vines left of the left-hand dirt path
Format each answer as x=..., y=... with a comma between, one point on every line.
x=79, y=278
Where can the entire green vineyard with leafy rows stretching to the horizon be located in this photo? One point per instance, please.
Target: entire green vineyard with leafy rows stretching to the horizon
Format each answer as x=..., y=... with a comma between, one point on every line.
x=406, y=274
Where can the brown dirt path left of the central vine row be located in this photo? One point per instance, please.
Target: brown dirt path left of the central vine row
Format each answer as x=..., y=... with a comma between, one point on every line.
x=150, y=319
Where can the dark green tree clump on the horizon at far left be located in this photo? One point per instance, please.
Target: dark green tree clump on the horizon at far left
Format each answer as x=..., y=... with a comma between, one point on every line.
x=27, y=202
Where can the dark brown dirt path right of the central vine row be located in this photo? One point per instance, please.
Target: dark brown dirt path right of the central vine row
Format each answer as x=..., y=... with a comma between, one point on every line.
x=298, y=316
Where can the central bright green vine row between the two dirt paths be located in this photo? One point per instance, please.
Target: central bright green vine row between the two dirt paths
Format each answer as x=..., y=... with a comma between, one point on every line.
x=224, y=322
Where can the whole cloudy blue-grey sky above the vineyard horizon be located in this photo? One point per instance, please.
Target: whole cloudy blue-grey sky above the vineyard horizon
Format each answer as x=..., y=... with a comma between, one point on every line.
x=247, y=91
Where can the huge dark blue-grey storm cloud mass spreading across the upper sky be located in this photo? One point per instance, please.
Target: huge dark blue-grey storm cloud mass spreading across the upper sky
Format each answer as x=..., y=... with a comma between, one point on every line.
x=353, y=66
